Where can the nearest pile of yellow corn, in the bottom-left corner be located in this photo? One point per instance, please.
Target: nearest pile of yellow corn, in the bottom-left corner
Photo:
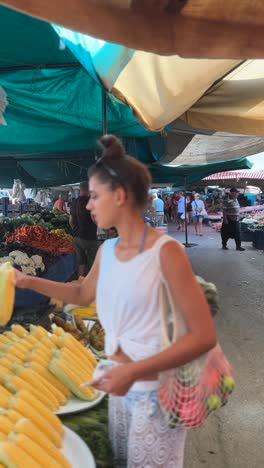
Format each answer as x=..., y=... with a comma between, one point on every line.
x=30, y=434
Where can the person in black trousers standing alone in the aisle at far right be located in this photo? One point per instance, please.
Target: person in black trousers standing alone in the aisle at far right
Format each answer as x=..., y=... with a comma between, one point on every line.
x=231, y=215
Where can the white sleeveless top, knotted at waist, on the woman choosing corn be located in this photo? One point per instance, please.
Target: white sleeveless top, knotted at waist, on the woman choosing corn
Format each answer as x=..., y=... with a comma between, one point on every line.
x=127, y=300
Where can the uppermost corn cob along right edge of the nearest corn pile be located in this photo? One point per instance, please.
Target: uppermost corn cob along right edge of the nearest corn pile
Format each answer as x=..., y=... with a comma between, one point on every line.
x=41, y=410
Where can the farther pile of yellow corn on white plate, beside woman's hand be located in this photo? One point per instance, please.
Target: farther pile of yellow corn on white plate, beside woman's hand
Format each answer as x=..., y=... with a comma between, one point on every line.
x=51, y=366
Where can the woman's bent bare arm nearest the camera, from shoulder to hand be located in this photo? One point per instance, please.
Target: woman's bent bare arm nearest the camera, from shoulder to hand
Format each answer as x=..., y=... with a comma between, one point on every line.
x=201, y=335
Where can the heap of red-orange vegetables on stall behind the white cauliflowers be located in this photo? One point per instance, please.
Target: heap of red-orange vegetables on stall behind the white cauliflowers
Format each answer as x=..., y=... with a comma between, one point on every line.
x=38, y=236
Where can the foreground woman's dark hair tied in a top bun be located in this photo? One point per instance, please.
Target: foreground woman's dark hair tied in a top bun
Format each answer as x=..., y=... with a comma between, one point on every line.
x=118, y=169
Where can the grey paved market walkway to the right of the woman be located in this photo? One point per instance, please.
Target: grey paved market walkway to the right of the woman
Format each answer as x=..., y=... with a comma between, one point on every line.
x=233, y=438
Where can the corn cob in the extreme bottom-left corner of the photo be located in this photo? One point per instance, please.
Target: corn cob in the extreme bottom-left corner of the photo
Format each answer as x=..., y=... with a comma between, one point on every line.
x=13, y=456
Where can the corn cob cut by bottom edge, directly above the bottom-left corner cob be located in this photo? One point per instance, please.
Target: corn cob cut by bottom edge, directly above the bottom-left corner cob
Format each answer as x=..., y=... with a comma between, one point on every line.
x=34, y=450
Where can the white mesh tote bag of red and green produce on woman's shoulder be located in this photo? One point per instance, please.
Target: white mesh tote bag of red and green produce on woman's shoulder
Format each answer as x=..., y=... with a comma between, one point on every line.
x=189, y=393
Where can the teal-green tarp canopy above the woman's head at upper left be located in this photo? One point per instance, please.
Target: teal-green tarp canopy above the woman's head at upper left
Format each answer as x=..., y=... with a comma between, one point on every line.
x=54, y=115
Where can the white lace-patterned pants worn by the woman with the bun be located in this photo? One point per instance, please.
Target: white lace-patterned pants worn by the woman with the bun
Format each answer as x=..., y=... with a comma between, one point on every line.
x=139, y=434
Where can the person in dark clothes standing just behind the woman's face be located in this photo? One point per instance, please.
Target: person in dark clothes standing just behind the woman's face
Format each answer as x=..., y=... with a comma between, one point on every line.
x=84, y=230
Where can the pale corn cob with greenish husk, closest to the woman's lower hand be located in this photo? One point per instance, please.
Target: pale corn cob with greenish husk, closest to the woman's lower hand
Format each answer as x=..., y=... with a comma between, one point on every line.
x=73, y=382
